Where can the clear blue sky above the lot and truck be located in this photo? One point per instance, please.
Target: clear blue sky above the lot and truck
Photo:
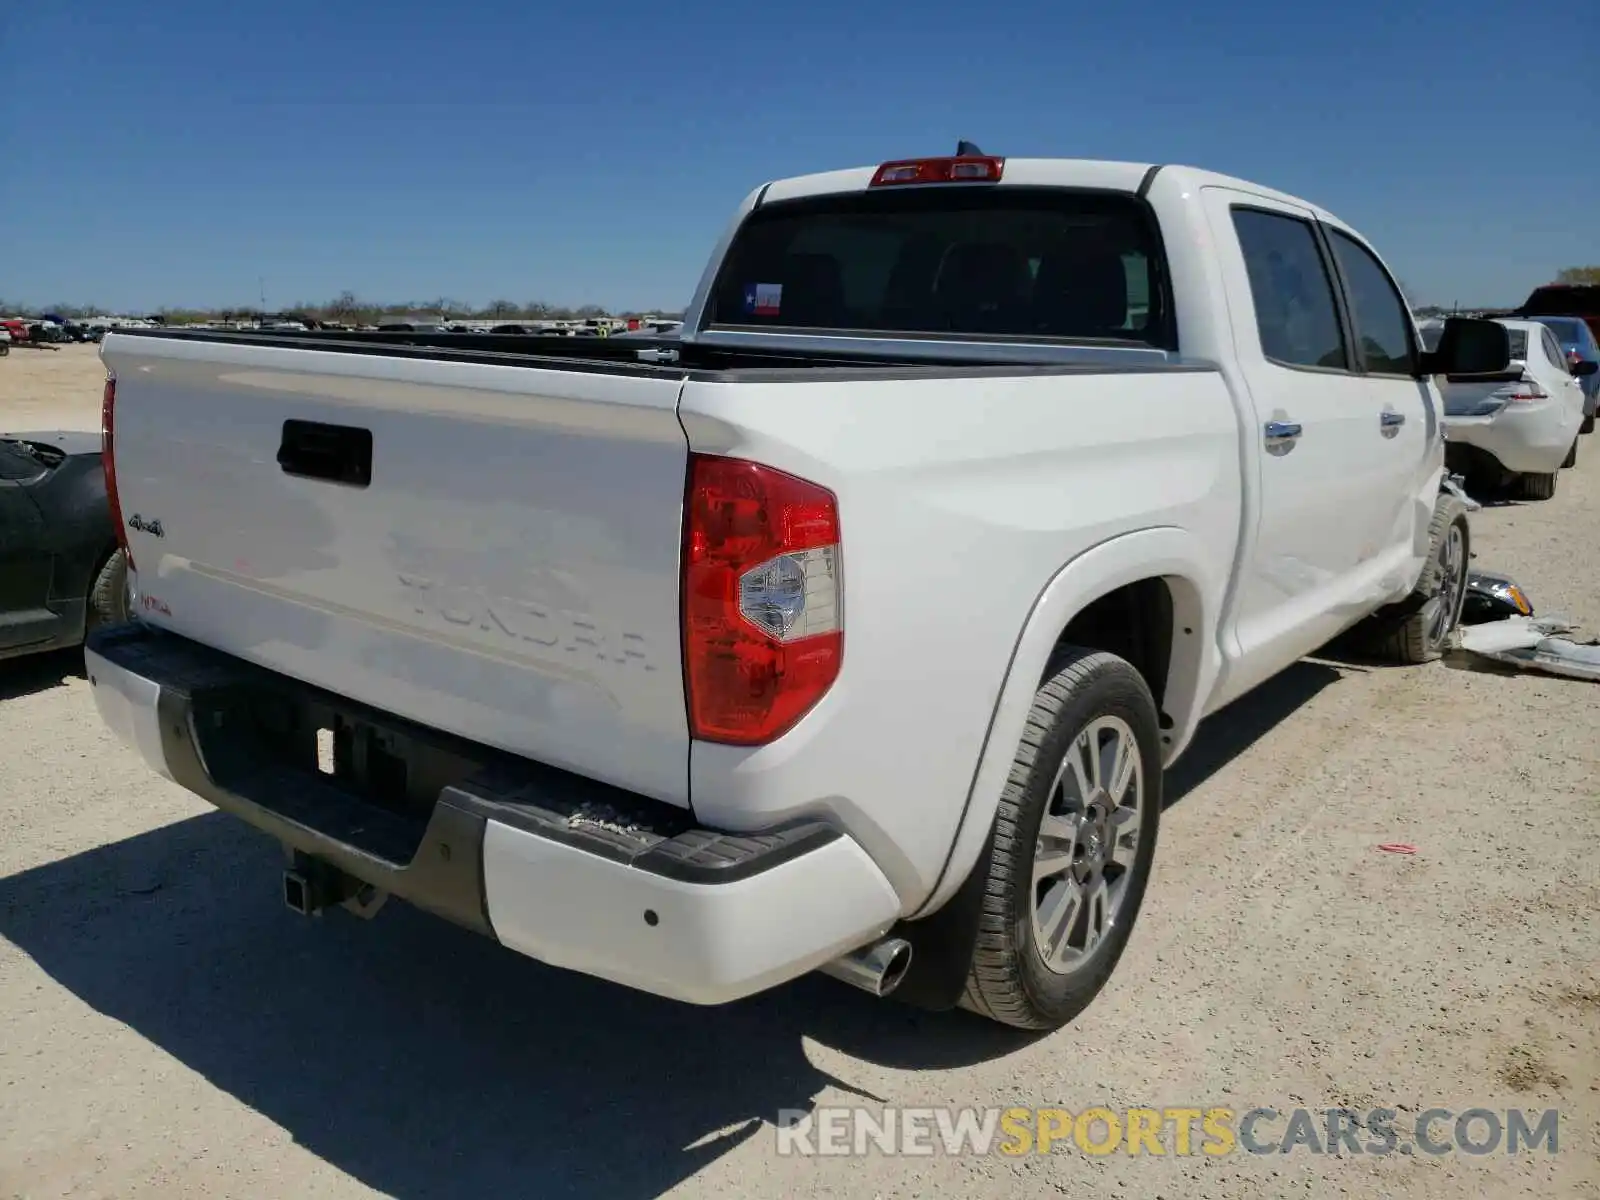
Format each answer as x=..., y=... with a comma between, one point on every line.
x=175, y=153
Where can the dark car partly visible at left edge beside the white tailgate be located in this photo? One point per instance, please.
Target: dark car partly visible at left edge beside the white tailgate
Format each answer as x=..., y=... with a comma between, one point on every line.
x=60, y=569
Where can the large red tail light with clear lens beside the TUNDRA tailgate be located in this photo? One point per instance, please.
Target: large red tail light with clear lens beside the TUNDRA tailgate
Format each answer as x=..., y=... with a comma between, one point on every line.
x=762, y=599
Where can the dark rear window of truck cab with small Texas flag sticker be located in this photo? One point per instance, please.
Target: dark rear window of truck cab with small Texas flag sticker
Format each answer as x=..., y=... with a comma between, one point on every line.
x=996, y=263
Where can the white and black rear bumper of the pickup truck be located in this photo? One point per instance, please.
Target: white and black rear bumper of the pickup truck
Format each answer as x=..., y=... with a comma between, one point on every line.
x=564, y=870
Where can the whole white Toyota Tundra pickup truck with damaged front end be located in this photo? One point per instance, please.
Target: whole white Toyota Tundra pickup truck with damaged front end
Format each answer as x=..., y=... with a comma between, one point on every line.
x=850, y=630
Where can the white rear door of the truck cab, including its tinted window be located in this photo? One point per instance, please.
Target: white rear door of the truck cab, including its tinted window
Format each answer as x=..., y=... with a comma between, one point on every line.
x=1326, y=490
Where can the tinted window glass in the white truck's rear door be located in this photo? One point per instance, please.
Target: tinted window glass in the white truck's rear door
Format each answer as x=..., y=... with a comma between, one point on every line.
x=1290, y=289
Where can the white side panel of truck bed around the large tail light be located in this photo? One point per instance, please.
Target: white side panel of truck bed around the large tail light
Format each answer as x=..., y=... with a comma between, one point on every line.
x=961, y=500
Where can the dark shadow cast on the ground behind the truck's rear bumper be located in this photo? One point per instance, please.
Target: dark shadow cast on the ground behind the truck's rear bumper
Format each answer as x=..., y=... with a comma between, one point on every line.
x=423, y=1060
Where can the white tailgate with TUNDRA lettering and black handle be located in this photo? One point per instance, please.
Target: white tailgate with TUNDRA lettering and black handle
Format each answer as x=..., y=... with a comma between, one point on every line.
x=508, y=574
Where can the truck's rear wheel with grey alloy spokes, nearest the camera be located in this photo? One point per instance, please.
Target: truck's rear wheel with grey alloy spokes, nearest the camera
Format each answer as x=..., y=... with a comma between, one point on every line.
x=1089, y=695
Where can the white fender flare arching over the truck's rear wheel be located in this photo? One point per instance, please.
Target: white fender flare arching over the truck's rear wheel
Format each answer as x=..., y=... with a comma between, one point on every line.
x=1170, y=553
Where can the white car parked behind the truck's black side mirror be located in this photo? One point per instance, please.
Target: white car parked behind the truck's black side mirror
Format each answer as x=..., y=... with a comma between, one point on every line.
x=1519, y=426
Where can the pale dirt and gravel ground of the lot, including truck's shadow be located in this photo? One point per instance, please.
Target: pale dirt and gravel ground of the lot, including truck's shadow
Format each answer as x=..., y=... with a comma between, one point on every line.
x=170, y=1030
